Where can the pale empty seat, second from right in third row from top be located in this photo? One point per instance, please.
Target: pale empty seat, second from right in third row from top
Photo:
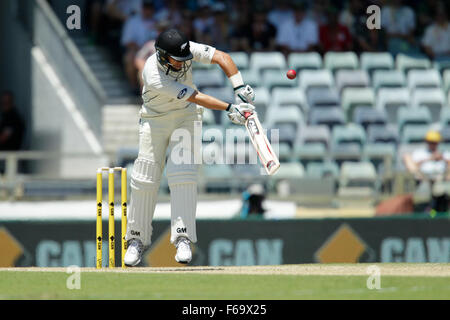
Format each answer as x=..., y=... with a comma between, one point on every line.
x=391, y=99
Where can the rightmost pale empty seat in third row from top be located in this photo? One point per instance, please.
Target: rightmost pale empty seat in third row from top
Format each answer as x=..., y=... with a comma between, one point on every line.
x=433, y=99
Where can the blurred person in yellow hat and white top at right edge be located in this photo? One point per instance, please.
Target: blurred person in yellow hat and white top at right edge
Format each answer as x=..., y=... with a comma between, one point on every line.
x=430, y=167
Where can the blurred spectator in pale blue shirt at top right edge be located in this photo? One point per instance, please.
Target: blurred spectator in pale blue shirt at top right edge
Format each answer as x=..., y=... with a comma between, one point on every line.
x=436, y=41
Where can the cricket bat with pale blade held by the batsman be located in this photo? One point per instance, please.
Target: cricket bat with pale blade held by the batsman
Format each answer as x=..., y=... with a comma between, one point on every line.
x=259, y=140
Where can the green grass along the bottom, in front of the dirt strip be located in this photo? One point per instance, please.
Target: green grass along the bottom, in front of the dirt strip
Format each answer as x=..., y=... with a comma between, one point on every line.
x=217, y=286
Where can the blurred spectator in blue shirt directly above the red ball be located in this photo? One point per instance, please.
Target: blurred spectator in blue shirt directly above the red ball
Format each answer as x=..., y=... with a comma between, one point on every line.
x=299, y=34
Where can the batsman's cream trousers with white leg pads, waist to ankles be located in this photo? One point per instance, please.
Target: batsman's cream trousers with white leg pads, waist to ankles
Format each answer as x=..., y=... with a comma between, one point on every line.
x=174, y=135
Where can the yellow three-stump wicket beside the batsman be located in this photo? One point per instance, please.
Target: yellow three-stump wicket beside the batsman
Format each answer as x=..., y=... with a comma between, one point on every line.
x=111, y=231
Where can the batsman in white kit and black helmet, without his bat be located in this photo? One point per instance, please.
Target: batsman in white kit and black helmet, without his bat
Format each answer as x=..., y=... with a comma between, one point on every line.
x=170, y=102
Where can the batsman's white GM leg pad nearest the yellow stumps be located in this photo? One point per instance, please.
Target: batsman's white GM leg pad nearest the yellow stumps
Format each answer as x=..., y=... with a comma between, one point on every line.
x=145, y=181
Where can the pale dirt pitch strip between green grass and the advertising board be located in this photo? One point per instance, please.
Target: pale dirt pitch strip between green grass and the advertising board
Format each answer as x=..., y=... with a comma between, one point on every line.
x=386, y=269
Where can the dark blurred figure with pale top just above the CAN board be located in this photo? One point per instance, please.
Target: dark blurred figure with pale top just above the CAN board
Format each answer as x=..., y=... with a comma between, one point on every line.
x=253, y=202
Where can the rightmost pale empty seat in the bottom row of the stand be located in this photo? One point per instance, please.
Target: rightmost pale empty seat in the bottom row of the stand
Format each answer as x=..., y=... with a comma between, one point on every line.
x=358, y=174
